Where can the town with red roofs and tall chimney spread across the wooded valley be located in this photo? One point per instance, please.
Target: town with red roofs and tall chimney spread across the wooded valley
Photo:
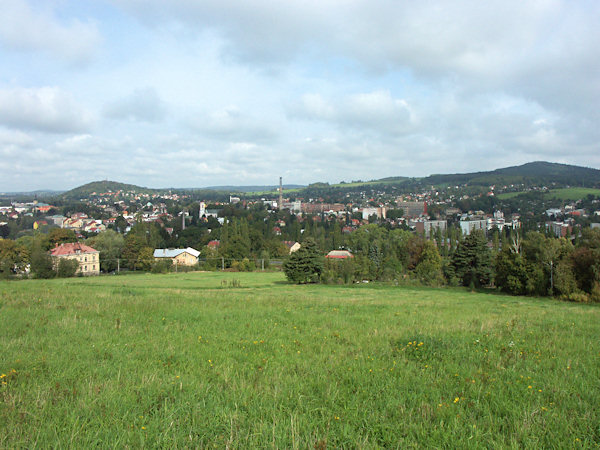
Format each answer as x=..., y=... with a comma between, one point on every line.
x=128, y=228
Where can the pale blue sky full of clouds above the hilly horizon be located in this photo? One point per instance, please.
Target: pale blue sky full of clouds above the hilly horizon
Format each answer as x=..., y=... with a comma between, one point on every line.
x=193, y=93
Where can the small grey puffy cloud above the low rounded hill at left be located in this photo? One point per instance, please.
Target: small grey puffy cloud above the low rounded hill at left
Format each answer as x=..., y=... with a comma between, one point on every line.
x=142, y=105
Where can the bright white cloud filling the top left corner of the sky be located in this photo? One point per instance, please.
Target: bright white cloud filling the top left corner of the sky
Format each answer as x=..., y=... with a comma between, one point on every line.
x=24, y=28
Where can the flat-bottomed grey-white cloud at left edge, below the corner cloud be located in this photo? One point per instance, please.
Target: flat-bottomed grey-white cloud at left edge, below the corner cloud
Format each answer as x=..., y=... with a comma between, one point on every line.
x=47, y=109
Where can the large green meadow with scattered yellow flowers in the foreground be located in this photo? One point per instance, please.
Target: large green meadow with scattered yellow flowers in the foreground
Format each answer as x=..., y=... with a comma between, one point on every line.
x=246, y=361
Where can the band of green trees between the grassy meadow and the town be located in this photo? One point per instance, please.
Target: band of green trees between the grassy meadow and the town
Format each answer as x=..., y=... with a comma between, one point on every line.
x=530, y=263
